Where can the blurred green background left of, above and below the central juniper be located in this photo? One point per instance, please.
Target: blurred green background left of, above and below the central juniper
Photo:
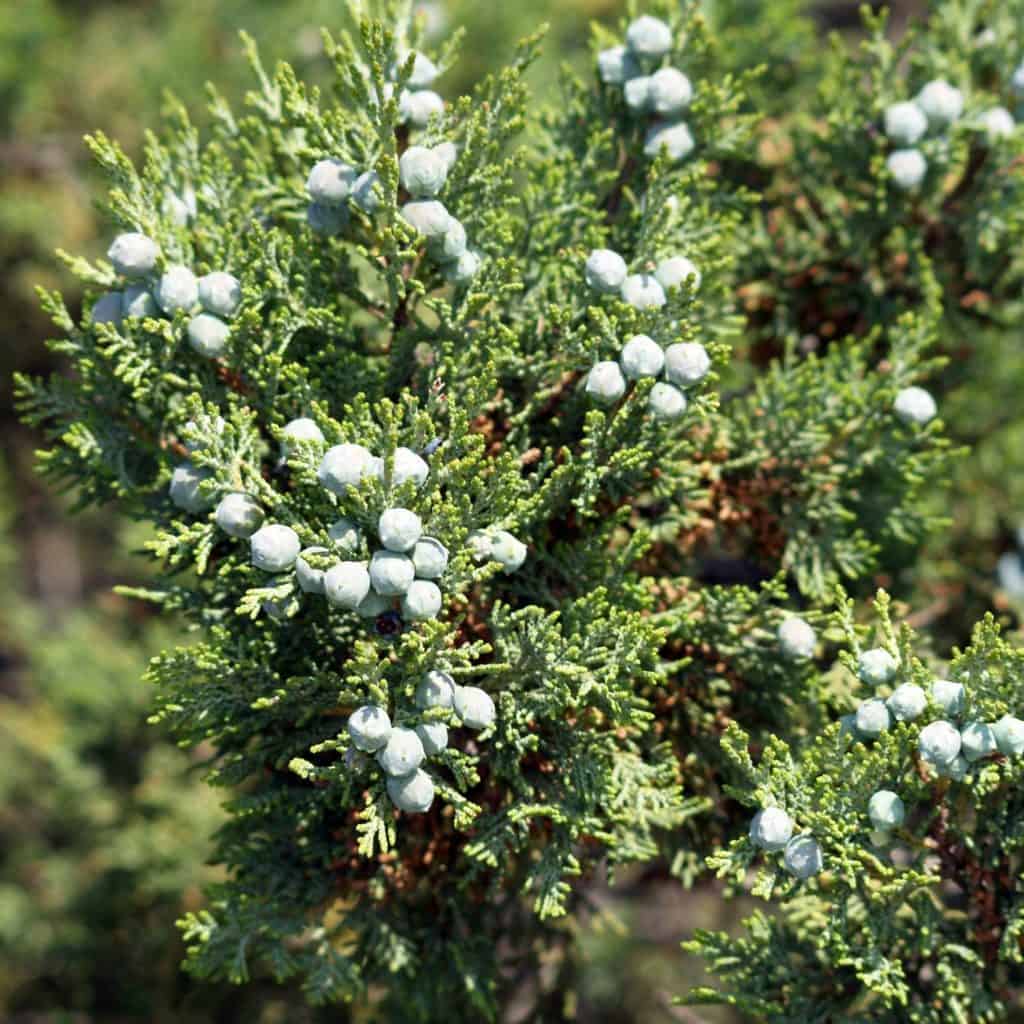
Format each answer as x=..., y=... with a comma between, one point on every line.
x=104, y=823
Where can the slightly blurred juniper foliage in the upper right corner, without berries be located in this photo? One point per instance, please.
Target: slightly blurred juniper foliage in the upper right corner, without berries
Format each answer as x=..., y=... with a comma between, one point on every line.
x=841, y=249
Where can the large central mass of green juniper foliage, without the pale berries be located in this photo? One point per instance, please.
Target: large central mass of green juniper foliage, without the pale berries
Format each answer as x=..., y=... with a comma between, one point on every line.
x=643, y=627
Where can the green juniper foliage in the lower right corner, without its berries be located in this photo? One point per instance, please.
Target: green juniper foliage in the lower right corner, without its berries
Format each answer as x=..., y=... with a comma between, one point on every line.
x=921, y=925
